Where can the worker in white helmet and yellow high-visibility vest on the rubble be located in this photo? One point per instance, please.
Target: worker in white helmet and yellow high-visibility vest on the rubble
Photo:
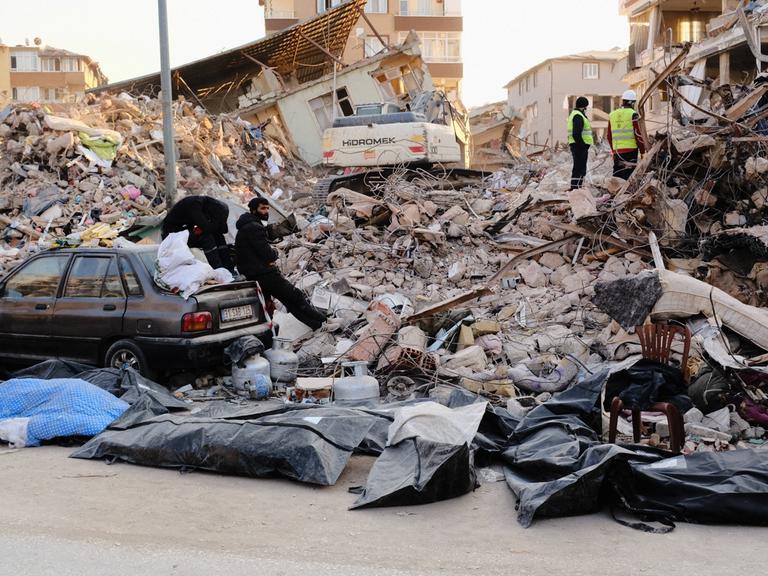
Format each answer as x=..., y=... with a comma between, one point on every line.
x=625, y=137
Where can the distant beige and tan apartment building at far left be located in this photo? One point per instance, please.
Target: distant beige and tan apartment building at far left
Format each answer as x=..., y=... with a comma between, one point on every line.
x=46, y=74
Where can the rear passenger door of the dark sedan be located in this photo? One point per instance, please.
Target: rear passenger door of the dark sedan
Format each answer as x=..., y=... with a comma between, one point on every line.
x=90, y=308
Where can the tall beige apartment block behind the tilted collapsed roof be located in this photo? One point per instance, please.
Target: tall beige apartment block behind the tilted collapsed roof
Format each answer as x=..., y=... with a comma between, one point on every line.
x=439, y=24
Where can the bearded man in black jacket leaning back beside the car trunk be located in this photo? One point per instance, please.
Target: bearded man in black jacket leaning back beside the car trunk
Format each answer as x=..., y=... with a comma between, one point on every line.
x=257, y=260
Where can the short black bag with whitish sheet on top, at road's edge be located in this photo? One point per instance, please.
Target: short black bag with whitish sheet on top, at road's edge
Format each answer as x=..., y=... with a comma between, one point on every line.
x=428, y=457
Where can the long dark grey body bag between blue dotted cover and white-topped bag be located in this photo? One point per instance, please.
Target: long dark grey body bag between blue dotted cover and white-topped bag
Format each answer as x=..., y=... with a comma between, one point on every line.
x=309, y=446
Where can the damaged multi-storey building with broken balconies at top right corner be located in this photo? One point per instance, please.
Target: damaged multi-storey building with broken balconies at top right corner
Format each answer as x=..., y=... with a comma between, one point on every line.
x=723, y=43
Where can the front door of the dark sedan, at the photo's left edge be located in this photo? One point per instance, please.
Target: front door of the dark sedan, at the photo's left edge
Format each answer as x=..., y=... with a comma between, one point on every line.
x=27, y=300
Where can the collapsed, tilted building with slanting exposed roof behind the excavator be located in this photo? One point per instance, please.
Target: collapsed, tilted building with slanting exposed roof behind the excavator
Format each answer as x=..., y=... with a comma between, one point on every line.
x=295, y=82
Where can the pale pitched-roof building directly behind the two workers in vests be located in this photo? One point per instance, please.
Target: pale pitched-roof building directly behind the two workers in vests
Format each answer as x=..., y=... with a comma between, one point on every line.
x=543, y=96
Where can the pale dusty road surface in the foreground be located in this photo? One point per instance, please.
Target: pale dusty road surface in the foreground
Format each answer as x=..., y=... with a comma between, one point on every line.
x=62, y=516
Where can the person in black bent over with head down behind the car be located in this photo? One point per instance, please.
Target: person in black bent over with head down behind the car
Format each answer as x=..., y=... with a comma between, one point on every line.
x=206, y=220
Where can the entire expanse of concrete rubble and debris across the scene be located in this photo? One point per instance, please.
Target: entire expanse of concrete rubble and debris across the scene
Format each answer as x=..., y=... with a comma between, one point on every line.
x=484, y=282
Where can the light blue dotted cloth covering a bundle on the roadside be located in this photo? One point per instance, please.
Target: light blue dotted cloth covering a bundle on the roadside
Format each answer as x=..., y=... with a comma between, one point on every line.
x=33, y=410
